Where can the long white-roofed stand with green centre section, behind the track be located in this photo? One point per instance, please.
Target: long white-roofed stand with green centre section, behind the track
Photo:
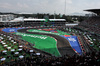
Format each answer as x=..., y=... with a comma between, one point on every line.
x=44, y=22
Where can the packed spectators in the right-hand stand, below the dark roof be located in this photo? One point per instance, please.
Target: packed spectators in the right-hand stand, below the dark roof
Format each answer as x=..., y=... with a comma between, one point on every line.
x=91, y=24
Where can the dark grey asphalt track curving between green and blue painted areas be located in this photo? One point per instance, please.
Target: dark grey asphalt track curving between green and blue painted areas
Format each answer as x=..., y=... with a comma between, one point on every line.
x=62, y=44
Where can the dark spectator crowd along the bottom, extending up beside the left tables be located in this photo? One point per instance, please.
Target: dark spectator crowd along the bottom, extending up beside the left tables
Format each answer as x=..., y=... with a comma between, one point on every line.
x=44, y=60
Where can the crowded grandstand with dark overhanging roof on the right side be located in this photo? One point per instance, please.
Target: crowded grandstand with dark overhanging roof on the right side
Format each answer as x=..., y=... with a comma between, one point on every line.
x=92, y=24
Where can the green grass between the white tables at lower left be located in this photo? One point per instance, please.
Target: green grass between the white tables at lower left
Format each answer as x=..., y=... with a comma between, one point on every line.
x=8, y=53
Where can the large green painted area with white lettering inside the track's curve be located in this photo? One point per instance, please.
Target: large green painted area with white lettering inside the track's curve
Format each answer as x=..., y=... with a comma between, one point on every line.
x=42, y=42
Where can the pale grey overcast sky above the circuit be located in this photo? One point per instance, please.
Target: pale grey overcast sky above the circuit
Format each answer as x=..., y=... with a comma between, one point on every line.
x=48, y=6
